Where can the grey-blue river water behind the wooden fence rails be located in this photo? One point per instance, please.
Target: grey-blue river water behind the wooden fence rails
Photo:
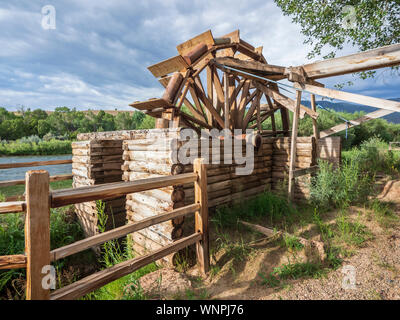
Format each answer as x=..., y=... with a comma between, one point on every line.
x=19, y=173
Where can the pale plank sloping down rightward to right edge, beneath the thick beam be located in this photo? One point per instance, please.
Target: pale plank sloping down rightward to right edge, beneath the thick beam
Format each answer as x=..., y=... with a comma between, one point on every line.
x=351, y=97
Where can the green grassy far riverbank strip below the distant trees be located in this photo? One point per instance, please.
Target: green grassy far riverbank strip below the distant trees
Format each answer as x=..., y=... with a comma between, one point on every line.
x=24, y=147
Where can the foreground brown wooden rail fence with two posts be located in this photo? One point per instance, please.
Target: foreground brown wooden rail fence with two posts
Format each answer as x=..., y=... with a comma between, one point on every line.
x=37, y=206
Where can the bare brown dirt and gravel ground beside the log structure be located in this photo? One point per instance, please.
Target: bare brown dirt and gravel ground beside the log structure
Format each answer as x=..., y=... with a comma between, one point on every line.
x=376, y=263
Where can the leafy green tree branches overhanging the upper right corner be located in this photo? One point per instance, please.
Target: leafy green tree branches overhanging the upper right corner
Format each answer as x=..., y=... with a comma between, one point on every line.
x=376, y=24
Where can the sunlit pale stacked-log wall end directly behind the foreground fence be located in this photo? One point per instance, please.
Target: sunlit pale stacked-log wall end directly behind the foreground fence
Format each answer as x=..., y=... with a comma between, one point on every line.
x=148, y=154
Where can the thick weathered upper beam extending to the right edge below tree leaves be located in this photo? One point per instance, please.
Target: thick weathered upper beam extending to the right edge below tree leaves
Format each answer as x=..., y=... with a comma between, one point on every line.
x=387, y=56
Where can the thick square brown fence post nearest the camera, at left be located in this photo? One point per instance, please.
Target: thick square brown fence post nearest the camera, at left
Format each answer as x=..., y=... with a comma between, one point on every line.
x=37, y=233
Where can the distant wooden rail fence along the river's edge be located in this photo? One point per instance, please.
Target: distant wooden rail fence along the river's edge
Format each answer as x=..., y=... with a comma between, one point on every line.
x=34, y=164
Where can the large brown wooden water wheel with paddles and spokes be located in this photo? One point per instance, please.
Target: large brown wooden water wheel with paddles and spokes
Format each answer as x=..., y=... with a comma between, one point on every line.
x=220, y=83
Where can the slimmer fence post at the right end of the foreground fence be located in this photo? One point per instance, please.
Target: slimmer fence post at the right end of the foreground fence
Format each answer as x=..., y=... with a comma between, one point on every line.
x=201, y=223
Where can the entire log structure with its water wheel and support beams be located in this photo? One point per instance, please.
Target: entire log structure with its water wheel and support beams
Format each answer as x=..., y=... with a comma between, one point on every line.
x=223, y=83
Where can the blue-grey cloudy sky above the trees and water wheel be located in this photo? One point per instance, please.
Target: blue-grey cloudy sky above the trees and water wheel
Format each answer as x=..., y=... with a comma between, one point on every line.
x=97, y=55
